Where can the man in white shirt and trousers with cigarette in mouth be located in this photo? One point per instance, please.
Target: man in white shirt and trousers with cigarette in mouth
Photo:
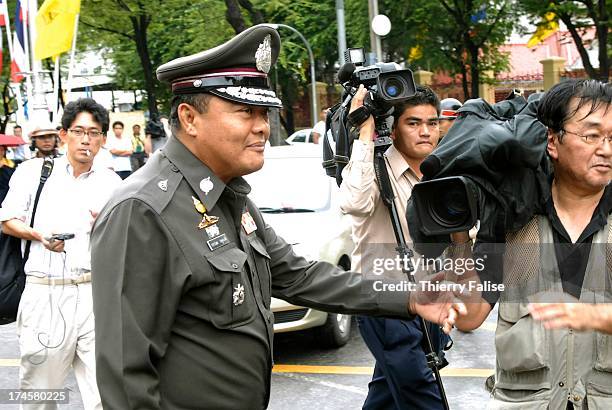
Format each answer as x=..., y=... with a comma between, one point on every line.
x=55, y=321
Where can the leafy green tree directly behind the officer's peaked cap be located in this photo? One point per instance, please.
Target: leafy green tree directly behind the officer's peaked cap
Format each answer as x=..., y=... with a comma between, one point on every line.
x=155, y=31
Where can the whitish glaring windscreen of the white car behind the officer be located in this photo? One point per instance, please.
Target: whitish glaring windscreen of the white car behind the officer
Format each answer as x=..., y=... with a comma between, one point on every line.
x=291, y=183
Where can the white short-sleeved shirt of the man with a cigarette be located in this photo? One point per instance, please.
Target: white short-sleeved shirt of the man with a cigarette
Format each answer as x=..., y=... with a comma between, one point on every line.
x=64, y=207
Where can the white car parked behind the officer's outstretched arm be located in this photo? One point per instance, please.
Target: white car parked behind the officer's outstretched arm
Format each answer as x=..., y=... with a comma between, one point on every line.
x=297, y=200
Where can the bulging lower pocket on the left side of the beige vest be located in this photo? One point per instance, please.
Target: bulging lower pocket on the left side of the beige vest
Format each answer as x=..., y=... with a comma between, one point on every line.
x=521, y=346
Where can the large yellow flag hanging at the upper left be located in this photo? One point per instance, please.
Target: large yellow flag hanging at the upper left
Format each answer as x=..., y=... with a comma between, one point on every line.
x=55, y=27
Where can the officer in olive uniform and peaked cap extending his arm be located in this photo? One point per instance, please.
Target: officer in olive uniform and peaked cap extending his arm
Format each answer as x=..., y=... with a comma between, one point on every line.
x=185, y=265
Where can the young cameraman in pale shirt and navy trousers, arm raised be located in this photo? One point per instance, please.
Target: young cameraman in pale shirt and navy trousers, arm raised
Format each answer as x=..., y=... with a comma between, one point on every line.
x=402, y=379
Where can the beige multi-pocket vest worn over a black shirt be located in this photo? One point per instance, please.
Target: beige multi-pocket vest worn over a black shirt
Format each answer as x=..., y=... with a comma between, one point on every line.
x=543, y=369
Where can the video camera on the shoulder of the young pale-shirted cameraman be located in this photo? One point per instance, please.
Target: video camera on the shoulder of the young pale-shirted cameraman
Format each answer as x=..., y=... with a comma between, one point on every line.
x=387, y=85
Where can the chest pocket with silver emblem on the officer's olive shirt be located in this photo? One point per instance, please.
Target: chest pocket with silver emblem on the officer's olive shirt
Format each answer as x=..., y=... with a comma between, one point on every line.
x=233, y=302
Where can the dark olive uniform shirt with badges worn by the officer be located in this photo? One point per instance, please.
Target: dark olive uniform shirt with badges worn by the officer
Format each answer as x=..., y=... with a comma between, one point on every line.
x=183, y=314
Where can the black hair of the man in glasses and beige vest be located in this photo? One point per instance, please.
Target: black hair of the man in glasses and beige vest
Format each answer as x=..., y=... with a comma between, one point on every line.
x=554, y=106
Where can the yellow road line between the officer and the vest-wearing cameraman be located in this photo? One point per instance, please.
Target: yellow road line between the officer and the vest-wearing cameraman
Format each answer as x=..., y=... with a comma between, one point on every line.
x=366, y=370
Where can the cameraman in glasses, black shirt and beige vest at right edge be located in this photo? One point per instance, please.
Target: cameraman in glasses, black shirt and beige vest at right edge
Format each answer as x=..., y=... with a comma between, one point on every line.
x=564, y=361
